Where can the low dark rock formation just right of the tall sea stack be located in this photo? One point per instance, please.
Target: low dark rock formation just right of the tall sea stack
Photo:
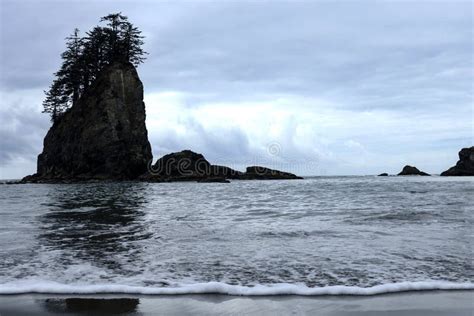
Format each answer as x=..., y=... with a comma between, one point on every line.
x=187, y=165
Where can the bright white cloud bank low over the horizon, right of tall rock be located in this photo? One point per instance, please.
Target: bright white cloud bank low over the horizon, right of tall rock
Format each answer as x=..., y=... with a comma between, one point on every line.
x=312, y=131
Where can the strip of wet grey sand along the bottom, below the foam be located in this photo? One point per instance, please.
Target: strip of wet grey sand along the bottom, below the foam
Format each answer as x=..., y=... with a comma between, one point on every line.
x=408, y=303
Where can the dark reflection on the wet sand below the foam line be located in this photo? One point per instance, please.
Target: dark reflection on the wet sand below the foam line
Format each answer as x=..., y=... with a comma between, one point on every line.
x=91, y=305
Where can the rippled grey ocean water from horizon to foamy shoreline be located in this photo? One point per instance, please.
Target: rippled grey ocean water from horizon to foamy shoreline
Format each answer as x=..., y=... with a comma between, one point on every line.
x=322, y=235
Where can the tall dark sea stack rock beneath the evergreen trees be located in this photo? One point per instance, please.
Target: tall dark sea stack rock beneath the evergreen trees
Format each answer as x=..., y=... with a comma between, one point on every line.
x=103, y=136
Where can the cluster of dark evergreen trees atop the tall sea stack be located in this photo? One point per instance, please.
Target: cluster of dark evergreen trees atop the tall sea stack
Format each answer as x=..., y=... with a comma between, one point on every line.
x=84, y=58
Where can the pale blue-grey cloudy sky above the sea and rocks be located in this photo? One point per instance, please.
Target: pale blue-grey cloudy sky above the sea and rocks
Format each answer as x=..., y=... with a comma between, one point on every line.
x=317, y=88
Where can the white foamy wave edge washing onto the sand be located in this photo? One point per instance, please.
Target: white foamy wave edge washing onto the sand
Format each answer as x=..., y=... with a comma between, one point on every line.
x=227, y=289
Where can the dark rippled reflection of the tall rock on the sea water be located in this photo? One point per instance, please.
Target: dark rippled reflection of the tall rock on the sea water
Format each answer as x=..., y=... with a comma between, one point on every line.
x=95, y=223
